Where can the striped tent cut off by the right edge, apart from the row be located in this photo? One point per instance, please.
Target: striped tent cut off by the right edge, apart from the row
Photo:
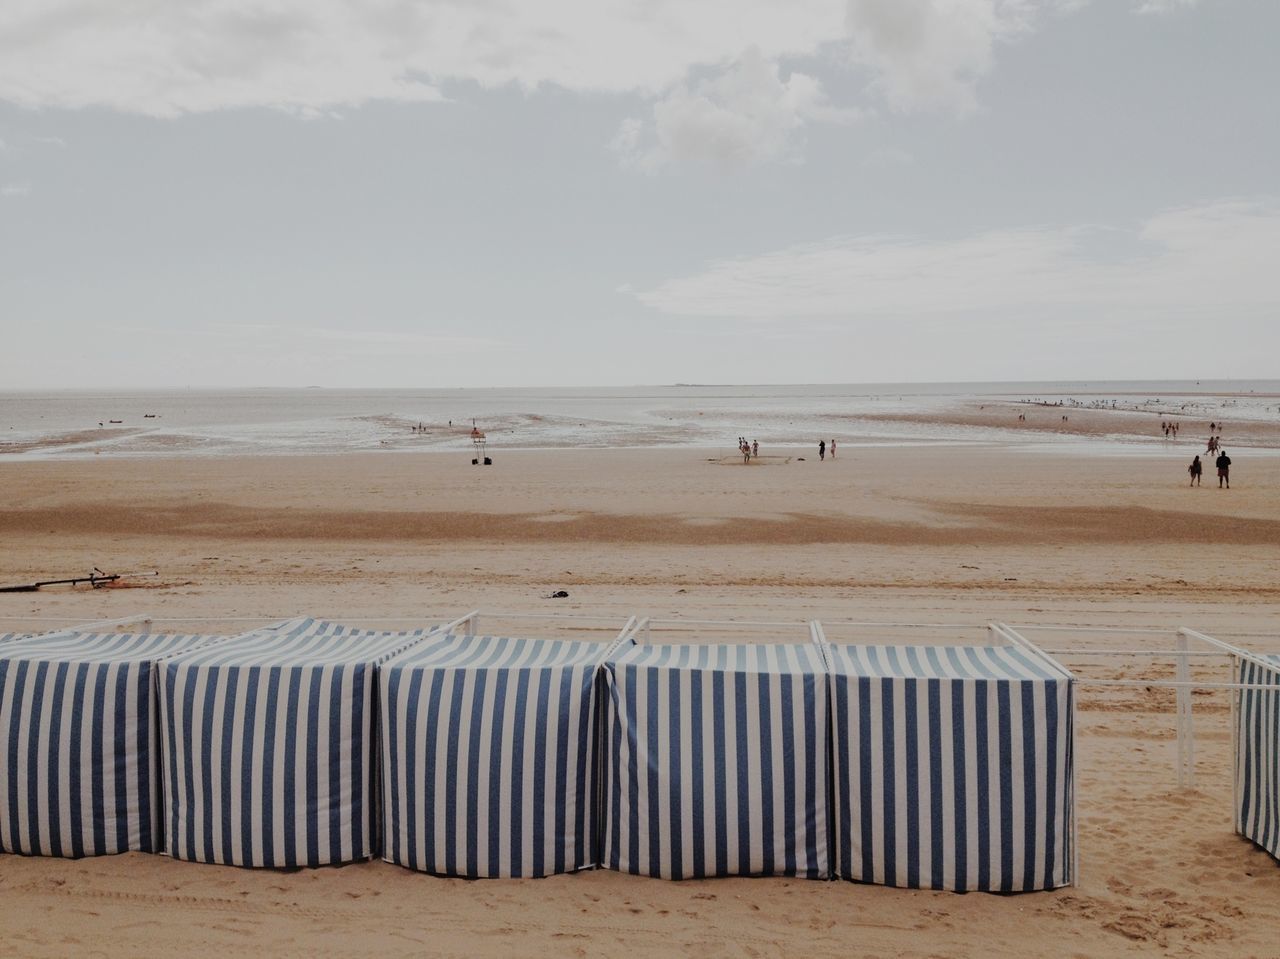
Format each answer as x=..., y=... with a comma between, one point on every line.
x=1258, y=783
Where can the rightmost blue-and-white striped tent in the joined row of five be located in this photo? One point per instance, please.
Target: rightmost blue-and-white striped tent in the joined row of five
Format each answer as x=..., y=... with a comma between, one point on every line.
x=952, y=768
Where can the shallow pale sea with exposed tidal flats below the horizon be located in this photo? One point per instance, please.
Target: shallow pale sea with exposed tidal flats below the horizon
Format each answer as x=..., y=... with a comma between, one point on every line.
x=141, y=423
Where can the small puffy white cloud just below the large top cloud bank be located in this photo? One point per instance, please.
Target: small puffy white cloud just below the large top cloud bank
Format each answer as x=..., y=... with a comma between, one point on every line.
x=746, y=115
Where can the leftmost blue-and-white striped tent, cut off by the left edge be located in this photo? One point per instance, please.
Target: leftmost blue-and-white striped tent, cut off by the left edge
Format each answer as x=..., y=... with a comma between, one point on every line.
x=80, y=771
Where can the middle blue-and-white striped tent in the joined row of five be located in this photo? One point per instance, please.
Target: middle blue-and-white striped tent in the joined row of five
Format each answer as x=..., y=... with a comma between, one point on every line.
x=490, y=756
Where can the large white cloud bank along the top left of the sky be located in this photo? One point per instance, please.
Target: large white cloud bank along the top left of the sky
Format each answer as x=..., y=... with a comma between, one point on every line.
x=164, y=60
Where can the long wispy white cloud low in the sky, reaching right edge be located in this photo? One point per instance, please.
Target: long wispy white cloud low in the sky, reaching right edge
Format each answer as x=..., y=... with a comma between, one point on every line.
x=1206, y=261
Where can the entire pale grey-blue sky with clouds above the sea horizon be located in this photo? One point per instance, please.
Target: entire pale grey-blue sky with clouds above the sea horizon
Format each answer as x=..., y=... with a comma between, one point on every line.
x=586, y=193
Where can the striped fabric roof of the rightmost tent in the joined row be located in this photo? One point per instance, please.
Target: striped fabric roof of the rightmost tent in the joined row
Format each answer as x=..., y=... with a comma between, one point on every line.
x=940, y=663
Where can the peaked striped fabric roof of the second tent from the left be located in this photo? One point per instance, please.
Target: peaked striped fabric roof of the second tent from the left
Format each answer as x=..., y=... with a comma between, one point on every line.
x=304, y=643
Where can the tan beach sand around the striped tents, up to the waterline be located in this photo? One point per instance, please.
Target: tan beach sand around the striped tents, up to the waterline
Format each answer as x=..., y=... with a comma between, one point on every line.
x=926, y=536
